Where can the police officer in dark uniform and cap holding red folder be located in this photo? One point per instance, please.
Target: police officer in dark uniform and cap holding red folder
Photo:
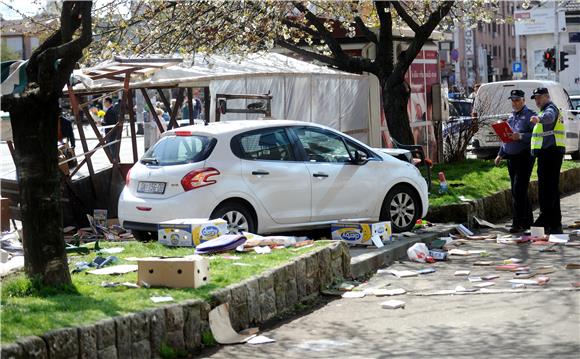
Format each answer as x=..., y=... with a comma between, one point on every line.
x=520, y=161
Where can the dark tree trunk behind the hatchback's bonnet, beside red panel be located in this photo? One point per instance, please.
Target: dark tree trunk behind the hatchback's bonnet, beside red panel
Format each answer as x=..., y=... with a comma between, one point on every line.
x=396, y=96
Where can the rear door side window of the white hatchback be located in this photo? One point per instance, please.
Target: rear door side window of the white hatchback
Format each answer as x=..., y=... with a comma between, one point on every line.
x=267, y=144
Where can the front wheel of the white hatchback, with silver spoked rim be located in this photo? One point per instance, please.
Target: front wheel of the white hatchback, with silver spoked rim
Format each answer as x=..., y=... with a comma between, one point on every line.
x=402, y=207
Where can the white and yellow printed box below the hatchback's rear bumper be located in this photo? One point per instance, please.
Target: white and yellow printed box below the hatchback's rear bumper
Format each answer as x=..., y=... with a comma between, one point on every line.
x=190, y=232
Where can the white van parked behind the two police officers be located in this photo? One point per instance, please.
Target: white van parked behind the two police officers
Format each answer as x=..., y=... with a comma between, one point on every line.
x=491, y=104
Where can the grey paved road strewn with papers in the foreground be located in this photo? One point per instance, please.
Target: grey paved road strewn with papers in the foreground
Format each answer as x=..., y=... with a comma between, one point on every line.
x=535, y=322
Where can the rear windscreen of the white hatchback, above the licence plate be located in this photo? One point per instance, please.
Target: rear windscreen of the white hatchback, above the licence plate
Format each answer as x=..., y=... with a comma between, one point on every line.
x=175, y=150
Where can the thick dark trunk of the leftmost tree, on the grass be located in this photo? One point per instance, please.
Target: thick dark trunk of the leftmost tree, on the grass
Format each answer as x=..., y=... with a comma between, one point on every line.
x=34, y=126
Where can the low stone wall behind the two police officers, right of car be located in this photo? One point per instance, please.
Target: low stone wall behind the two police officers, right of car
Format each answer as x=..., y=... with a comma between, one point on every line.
x=498, y=205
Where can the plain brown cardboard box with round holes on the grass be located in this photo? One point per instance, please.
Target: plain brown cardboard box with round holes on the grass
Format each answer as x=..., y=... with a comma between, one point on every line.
x=188, y=272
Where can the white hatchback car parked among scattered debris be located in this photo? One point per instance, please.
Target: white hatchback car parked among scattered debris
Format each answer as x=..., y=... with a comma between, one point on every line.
x=267, y=176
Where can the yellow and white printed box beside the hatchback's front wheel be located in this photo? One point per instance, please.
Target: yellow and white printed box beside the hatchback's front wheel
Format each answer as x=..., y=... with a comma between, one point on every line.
x=359, y=232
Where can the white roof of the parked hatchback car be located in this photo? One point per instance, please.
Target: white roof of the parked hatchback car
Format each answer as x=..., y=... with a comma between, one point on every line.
x=234, y=127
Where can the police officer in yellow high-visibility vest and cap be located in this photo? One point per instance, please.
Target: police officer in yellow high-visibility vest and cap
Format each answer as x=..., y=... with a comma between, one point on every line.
x=548, y=146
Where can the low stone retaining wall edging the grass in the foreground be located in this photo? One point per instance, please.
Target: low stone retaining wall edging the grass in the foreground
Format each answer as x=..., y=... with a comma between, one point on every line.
x=180, y=326
